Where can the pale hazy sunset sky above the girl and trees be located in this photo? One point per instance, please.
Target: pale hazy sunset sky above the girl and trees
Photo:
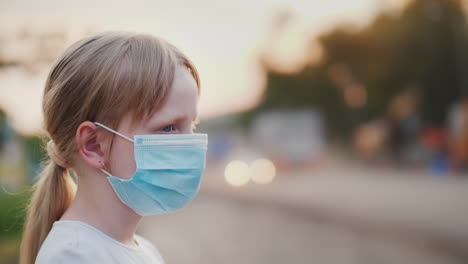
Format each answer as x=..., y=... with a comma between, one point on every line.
x=223, y=38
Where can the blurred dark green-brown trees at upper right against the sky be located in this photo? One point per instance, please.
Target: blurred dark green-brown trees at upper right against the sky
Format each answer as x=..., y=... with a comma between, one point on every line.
x=422, y=49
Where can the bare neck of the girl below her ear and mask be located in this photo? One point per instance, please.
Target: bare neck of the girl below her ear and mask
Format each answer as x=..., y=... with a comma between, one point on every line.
x=97, y=204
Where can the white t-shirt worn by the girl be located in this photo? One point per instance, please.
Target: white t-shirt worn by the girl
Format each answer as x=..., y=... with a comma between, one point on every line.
x=75, y=242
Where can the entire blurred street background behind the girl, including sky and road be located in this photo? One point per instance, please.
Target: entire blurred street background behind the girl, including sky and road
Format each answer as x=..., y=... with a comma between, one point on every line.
x=338, y=129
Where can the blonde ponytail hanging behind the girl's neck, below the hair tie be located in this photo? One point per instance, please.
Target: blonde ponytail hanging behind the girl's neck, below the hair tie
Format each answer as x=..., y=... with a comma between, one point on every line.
x=52, y=195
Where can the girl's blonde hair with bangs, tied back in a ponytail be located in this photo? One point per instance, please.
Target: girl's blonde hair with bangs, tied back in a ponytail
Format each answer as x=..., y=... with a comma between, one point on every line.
x=99, y=78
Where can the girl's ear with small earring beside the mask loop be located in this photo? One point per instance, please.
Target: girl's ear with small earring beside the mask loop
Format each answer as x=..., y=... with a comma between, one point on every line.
x=90, y=145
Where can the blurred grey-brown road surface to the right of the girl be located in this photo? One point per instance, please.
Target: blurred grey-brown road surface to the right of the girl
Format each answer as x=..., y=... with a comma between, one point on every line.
x=325, y=218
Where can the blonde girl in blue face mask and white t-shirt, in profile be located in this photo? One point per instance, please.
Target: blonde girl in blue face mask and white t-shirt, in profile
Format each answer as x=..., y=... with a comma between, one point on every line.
x=119, y=109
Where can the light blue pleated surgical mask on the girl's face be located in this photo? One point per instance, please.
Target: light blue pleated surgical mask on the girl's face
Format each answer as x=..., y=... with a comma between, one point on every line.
x=168, y=172
